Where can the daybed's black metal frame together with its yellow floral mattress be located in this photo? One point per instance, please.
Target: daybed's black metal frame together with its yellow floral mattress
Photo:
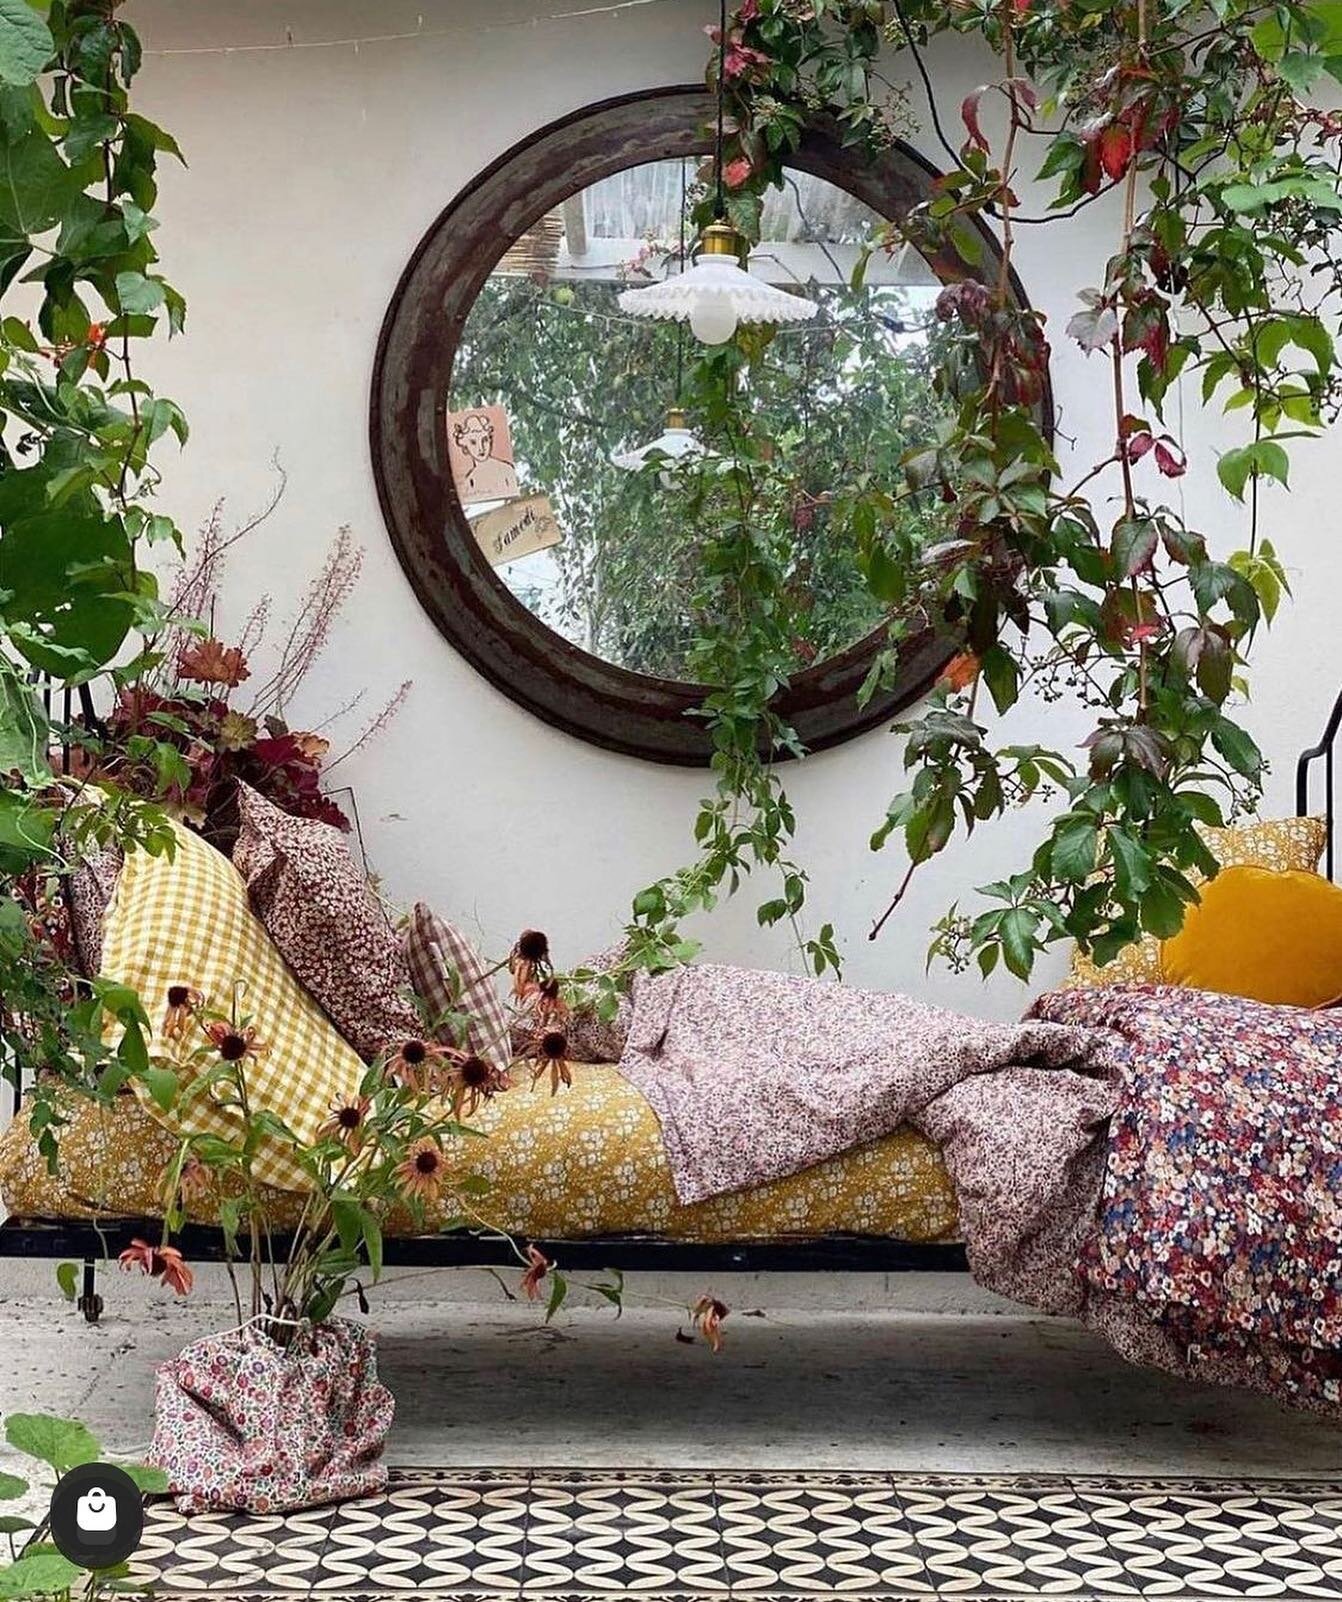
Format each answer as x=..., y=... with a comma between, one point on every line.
x=584, y=1175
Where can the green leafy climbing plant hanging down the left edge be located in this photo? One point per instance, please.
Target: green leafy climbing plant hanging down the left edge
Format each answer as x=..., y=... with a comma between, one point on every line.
x=78, y=480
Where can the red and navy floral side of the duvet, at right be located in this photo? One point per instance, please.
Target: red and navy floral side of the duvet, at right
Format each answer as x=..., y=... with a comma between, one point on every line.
x=1221, y=1214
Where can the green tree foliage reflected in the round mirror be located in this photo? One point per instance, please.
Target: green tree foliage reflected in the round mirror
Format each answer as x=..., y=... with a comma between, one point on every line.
x=838, y=401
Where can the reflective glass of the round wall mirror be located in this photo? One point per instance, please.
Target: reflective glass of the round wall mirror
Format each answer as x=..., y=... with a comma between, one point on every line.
x=587, y=470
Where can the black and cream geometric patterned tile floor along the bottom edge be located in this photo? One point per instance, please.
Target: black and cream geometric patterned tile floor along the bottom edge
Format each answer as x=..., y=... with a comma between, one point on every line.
x=691, y=1537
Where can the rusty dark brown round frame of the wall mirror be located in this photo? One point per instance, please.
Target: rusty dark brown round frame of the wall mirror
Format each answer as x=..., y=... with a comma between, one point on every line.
x=494, y=632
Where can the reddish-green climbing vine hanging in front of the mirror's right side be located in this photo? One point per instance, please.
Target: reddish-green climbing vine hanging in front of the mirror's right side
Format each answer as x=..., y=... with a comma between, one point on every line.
x=1195, y=129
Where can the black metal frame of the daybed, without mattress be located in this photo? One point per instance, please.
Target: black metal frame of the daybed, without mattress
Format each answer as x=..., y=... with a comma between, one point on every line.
x=90, y=1244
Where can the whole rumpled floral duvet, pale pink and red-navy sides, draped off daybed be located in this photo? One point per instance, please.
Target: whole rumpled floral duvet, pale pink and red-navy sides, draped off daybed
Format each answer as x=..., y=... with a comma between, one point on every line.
x=1163, y=1164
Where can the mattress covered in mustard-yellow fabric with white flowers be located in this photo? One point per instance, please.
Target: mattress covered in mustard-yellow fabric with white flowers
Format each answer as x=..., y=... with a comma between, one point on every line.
x=585, y=1162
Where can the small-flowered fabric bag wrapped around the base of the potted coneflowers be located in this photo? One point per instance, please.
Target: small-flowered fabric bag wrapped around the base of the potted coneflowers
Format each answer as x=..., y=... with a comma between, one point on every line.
x=246, y=1423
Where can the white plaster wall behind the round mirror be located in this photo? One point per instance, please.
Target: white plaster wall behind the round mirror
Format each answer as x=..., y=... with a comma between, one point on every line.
x=313, y=175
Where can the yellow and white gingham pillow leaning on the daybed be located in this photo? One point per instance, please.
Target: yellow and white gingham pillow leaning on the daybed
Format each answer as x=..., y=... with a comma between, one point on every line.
x=187, y=922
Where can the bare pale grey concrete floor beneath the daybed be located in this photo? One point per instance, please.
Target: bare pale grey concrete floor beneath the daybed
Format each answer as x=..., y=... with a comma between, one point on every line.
x=846, y=1372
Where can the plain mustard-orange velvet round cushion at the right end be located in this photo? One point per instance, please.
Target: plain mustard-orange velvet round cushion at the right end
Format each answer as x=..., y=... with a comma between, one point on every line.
x=1268, y=936
